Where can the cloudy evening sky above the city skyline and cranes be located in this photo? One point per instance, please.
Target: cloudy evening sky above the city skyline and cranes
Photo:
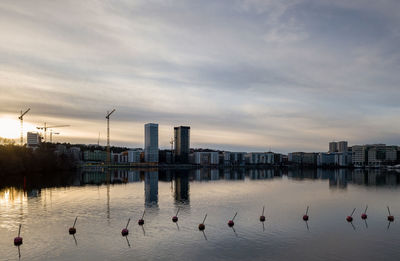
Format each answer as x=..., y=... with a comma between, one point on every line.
x=246, y=75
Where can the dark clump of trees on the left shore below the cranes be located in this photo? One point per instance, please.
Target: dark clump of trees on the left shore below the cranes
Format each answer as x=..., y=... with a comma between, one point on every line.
x=18, y=161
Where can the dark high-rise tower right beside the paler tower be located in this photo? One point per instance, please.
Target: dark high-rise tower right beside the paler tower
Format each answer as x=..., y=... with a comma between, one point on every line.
x=182, y=143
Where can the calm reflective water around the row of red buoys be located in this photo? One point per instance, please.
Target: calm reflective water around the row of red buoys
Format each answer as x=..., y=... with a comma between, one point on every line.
x=103, y=210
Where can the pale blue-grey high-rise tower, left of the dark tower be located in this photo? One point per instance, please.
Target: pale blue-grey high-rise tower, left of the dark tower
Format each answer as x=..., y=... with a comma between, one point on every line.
x=151, y=142
